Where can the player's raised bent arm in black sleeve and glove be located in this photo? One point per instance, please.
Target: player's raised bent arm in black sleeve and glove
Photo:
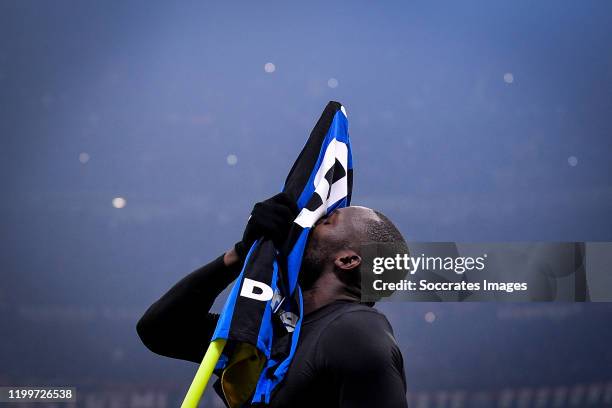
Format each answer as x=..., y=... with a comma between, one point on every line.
x=179, y=324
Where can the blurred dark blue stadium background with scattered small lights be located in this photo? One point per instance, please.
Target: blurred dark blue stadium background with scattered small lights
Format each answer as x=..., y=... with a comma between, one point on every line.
x=136, y=136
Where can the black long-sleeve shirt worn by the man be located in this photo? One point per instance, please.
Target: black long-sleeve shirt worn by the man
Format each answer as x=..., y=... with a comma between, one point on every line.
x=346, y=356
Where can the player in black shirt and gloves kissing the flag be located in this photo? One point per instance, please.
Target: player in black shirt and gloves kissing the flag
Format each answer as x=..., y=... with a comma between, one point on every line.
x=347, y=355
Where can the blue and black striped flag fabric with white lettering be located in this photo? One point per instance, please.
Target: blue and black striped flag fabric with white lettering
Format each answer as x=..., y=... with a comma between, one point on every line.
x=262, y=316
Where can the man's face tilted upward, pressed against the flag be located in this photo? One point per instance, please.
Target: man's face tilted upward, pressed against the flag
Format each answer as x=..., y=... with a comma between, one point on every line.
x=340, y=229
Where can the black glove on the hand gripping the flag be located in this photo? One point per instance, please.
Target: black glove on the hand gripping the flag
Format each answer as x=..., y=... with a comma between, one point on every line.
x=271, y=219
